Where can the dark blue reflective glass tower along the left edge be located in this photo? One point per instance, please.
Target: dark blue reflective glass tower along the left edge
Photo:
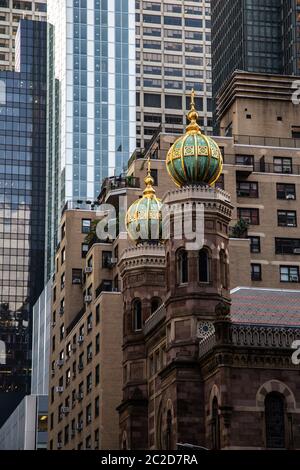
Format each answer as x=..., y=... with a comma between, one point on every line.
x=22, y=207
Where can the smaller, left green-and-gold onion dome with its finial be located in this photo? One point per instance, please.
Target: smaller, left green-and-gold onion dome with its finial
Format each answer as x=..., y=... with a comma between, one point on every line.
x=144, y=217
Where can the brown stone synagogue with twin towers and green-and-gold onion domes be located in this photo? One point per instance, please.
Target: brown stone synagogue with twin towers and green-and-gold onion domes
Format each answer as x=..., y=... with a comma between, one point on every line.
x=199, y=367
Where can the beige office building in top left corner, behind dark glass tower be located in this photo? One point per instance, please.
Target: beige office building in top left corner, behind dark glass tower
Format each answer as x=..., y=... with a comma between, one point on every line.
x=11, y=12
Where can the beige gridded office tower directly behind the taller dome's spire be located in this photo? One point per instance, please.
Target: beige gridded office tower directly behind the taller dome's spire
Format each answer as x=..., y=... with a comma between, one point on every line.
x=173, y=55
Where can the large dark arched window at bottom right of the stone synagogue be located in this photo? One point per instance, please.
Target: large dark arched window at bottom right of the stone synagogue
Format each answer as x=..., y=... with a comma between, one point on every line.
x=275, y=417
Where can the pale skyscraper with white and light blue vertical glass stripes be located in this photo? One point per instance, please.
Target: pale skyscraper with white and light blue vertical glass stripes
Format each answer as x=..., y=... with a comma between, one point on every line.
x=91, y=100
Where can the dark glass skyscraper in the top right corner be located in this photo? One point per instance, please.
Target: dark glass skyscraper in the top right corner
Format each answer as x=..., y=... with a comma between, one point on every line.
x=259, y=36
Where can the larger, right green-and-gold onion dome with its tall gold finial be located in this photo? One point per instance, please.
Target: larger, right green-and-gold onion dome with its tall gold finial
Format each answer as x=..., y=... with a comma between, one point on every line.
x=194, y=159
